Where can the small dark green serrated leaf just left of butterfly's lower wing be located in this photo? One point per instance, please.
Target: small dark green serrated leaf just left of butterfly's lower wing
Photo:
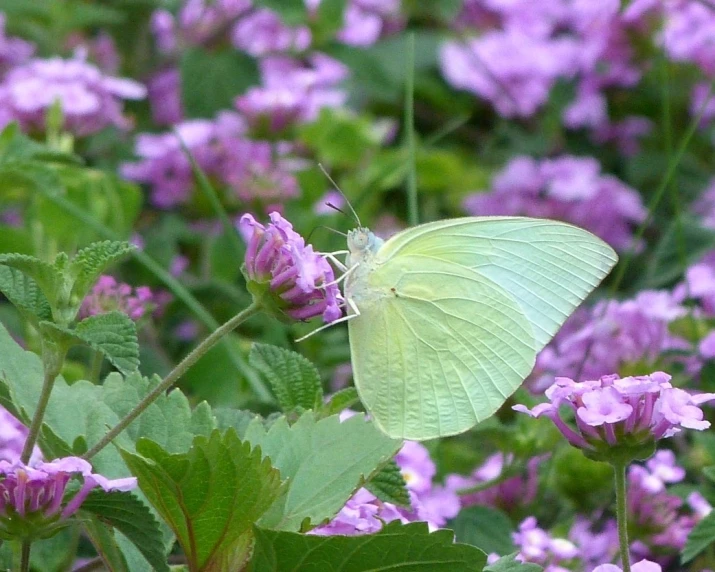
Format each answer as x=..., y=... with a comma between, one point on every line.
x=295, y=381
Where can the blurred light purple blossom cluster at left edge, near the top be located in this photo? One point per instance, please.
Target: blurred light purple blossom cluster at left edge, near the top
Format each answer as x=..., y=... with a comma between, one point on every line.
x=90, y=100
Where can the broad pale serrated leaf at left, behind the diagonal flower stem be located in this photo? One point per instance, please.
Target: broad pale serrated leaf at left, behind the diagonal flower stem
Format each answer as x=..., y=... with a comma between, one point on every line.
x=82, y=414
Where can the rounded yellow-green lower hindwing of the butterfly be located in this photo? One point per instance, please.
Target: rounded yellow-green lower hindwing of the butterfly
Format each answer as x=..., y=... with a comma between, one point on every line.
x=436, y=347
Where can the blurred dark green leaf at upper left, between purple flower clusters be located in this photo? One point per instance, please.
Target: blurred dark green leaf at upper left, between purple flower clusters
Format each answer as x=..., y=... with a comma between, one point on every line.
x=210, y=80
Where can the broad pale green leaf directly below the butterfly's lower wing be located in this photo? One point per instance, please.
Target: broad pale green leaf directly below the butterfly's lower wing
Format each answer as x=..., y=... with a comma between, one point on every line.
x=325, y=462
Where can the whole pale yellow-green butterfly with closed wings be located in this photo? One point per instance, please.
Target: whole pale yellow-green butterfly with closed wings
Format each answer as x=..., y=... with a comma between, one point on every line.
x=446, y=318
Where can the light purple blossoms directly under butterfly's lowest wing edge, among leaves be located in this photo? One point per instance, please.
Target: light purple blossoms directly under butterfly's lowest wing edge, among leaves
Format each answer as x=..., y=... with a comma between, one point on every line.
x=364, y=513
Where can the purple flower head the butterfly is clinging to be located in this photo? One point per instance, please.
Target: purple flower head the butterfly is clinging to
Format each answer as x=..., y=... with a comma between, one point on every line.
x=286, y=275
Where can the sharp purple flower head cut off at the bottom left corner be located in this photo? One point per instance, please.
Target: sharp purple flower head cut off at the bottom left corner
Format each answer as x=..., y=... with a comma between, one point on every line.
x=32, y=497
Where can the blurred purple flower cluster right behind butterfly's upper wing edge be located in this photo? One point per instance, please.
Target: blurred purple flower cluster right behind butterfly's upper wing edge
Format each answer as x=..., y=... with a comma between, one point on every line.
x=567, y=188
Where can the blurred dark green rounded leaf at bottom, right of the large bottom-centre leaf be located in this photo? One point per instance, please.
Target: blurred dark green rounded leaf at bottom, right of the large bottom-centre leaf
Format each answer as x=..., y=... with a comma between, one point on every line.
x=485, y=528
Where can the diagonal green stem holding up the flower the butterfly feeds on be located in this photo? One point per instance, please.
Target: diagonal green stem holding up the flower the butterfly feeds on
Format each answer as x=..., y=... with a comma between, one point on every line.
x=199, y=351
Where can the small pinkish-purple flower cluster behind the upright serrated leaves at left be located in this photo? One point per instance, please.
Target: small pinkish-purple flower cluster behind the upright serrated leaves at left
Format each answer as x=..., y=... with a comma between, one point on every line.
x=108, y=295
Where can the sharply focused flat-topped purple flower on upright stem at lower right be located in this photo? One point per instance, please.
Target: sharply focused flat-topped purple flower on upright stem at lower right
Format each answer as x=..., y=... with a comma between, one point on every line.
x=624, y=414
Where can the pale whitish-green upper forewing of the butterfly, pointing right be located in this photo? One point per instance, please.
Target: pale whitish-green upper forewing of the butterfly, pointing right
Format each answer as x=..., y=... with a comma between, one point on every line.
x=549, y=267
